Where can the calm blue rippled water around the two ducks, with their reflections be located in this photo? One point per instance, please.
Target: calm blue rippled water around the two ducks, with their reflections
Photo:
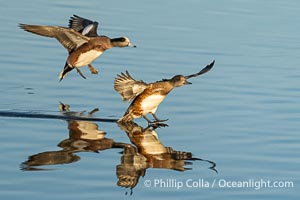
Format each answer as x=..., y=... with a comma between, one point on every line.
x=243, y=115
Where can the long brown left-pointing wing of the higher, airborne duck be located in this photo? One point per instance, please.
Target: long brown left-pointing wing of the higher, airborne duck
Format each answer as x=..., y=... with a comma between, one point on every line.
x=69, y=38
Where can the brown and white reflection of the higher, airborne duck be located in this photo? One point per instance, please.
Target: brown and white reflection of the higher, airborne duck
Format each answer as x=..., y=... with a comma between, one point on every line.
x=84, y=136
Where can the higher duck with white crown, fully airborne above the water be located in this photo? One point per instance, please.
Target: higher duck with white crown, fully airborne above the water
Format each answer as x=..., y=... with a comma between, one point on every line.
x=83, y=44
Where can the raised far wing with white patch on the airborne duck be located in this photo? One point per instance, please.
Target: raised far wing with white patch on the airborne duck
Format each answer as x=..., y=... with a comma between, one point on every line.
x=84, y=26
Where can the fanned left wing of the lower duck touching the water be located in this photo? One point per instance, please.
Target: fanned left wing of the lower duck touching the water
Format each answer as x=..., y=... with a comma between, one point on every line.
x=128, y=87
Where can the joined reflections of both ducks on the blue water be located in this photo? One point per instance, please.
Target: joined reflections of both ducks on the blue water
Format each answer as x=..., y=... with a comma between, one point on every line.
x=145, y=151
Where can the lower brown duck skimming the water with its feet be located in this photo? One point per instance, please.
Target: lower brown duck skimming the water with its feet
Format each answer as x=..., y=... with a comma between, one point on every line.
x=145, y=98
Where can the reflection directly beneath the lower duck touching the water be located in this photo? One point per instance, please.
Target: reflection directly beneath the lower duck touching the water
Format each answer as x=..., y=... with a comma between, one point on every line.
x=149, y=152
